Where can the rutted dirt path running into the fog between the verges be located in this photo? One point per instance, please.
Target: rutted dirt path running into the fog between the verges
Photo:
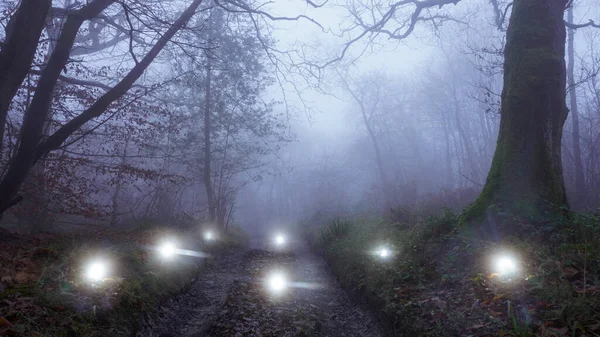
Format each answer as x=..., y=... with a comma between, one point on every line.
x=230, y=300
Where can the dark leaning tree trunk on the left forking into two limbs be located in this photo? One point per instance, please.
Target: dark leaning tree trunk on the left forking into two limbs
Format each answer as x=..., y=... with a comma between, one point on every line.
x=30, y=149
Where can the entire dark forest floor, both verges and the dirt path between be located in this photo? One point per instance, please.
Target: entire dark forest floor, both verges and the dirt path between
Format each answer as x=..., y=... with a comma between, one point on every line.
x=436, y=282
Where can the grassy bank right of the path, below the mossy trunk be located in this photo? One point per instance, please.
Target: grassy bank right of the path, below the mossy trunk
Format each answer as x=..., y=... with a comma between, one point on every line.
x=439, y=281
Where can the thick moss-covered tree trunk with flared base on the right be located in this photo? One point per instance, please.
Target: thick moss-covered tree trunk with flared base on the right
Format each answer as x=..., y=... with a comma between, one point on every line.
x=526, y=177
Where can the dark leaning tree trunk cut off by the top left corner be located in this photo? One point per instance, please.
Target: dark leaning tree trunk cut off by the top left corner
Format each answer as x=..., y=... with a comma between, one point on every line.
x=17, y=53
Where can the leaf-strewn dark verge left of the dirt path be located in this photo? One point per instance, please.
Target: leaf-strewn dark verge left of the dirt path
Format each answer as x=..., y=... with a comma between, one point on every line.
x=43, y=291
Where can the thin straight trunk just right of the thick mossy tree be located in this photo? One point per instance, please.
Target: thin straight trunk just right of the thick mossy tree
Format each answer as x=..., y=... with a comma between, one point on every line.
x=580, y=190
